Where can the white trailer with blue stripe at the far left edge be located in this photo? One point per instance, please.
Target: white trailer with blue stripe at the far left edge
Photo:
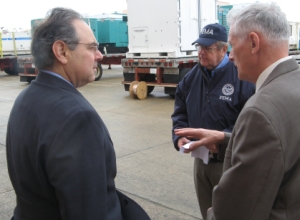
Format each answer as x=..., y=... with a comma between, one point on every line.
x=13, y=44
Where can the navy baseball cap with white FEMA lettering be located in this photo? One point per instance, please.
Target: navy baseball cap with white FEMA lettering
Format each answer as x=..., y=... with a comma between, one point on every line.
x=210, y=34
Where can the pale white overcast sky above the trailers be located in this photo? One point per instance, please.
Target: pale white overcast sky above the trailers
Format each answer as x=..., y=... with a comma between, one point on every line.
x=19, y=13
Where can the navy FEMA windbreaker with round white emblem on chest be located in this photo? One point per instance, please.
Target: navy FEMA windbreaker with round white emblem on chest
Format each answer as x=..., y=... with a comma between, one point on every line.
x=212, y=105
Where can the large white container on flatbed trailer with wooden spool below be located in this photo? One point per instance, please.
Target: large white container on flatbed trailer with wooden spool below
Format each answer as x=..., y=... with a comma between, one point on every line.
x=160, y=34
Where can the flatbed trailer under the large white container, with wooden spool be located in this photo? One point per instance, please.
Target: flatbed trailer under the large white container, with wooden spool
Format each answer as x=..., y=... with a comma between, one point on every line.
x=142, y=75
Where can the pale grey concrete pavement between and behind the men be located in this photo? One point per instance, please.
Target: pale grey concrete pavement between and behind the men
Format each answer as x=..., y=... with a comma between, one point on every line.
x=150, y=170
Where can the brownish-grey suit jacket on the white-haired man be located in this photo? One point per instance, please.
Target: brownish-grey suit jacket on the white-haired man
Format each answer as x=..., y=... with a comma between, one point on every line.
x=261, y=176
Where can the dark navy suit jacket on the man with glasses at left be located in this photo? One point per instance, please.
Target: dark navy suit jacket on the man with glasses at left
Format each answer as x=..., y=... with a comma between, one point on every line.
x=60, y=157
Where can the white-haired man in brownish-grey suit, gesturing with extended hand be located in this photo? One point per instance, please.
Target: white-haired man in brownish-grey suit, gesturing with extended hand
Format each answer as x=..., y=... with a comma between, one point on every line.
x=261, y=175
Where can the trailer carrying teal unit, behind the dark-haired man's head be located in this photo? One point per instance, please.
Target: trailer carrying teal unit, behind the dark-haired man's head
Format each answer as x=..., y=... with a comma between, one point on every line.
x=110, y=31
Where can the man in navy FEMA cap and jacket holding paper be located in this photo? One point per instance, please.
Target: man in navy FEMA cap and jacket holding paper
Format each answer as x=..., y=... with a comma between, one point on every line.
x=210, y=96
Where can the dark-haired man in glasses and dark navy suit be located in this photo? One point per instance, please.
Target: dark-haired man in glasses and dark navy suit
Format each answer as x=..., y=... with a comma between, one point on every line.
x=60, y=156
